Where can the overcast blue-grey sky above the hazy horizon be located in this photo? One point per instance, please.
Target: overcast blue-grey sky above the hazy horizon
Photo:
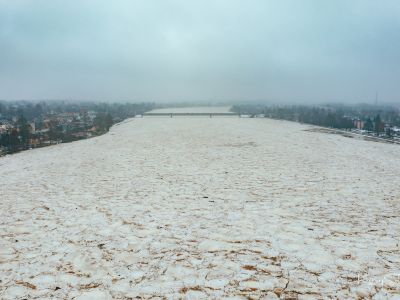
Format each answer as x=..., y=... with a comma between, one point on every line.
x=176, y=50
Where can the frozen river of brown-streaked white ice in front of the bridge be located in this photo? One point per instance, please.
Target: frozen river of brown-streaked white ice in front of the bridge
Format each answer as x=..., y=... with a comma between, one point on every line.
x=202, y=208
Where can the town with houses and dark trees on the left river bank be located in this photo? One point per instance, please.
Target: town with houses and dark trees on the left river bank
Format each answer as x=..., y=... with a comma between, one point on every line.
x=27, y=125
